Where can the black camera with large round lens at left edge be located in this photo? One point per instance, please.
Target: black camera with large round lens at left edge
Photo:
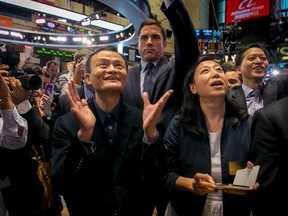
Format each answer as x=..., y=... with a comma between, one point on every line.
x=10, y=57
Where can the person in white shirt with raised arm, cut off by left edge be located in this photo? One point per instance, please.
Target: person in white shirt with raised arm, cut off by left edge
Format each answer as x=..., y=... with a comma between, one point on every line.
x=13, y=133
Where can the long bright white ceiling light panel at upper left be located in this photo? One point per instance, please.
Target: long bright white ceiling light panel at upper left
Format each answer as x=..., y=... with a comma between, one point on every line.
x=55, y=11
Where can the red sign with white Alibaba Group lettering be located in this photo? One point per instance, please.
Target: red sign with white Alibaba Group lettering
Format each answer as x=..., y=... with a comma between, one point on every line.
x=237, y=10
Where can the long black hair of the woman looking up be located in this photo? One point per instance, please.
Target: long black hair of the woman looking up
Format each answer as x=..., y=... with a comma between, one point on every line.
x=191, y=115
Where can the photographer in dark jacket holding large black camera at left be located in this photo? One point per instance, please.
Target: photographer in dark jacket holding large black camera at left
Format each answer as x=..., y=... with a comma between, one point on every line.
x=23, y=195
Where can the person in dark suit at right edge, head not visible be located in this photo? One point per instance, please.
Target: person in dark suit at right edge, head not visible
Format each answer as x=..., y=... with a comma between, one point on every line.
x=269, y=148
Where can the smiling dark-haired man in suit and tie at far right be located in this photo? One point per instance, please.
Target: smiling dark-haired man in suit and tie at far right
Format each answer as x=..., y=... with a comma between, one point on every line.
x=254, y=93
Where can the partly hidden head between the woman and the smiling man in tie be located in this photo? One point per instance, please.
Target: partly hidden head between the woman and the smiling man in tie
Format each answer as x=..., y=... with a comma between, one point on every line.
x=233, y=77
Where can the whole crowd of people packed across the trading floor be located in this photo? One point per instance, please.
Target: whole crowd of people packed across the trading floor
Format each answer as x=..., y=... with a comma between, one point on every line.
x=152, y=139
